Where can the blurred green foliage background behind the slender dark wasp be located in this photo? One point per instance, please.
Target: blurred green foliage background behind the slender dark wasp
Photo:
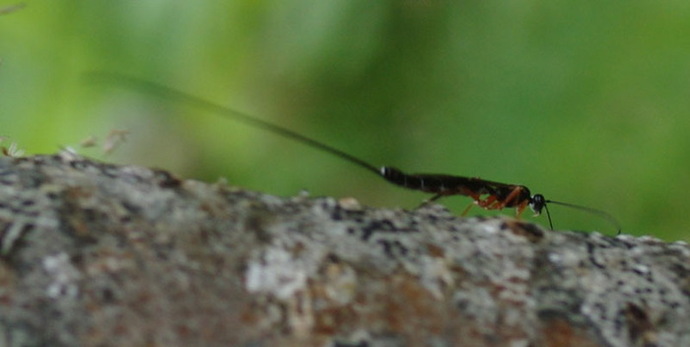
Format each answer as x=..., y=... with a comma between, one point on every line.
x=584, y=102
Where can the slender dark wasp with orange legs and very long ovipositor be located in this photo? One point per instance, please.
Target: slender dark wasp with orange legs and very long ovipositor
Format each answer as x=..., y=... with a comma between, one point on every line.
x=486, y=194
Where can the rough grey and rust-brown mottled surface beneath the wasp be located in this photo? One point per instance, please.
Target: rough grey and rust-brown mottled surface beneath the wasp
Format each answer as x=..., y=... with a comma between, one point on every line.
x=95, y=254
